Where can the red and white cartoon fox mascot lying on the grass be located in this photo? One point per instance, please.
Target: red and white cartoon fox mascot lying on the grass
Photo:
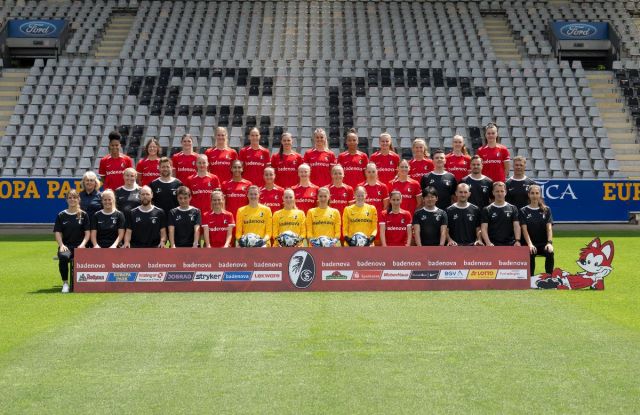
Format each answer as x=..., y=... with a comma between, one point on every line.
x=595, y=260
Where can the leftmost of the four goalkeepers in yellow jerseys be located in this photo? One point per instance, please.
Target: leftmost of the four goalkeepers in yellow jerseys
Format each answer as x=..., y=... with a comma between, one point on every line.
x=253, y=222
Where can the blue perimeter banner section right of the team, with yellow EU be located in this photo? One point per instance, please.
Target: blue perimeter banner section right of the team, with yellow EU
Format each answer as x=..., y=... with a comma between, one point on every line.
x=591, y=200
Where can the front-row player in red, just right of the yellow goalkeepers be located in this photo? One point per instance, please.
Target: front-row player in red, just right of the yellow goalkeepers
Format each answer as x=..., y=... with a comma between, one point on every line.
x=395, y=223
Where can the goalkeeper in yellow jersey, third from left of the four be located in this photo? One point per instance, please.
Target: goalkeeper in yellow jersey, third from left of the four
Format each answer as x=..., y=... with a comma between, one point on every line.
x=323, y=222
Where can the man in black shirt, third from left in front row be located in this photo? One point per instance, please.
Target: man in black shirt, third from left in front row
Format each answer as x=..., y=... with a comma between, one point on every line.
x=146, y=225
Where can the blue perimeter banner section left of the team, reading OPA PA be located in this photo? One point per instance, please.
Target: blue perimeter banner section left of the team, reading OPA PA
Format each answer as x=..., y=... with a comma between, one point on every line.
x=24, y=200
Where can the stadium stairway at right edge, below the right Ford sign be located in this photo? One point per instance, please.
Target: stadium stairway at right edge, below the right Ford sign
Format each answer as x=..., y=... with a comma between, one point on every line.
x=622, y=134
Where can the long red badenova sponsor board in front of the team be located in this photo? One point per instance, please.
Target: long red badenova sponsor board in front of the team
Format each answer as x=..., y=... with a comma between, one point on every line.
x=302, y=269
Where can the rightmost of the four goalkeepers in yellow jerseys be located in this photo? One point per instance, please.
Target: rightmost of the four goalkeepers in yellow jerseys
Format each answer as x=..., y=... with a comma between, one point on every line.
x=360, y=221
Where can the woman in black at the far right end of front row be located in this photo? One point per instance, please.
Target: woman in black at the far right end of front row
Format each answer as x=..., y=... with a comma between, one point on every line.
x=537, y=227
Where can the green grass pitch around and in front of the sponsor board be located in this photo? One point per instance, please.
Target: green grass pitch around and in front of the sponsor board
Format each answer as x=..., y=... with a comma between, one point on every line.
x=327, y=353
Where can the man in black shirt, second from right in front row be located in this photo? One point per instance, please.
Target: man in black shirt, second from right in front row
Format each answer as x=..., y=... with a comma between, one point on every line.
x=500, y=224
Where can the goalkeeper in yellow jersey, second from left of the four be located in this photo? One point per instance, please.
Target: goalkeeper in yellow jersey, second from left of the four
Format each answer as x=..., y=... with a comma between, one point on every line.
x=289, y=223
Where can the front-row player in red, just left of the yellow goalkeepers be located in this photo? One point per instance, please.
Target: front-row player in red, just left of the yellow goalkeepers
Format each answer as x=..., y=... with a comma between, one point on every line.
x=218, y=224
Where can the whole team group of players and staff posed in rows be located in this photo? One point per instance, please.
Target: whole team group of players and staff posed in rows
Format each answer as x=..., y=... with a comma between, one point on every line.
x=222, y=198
